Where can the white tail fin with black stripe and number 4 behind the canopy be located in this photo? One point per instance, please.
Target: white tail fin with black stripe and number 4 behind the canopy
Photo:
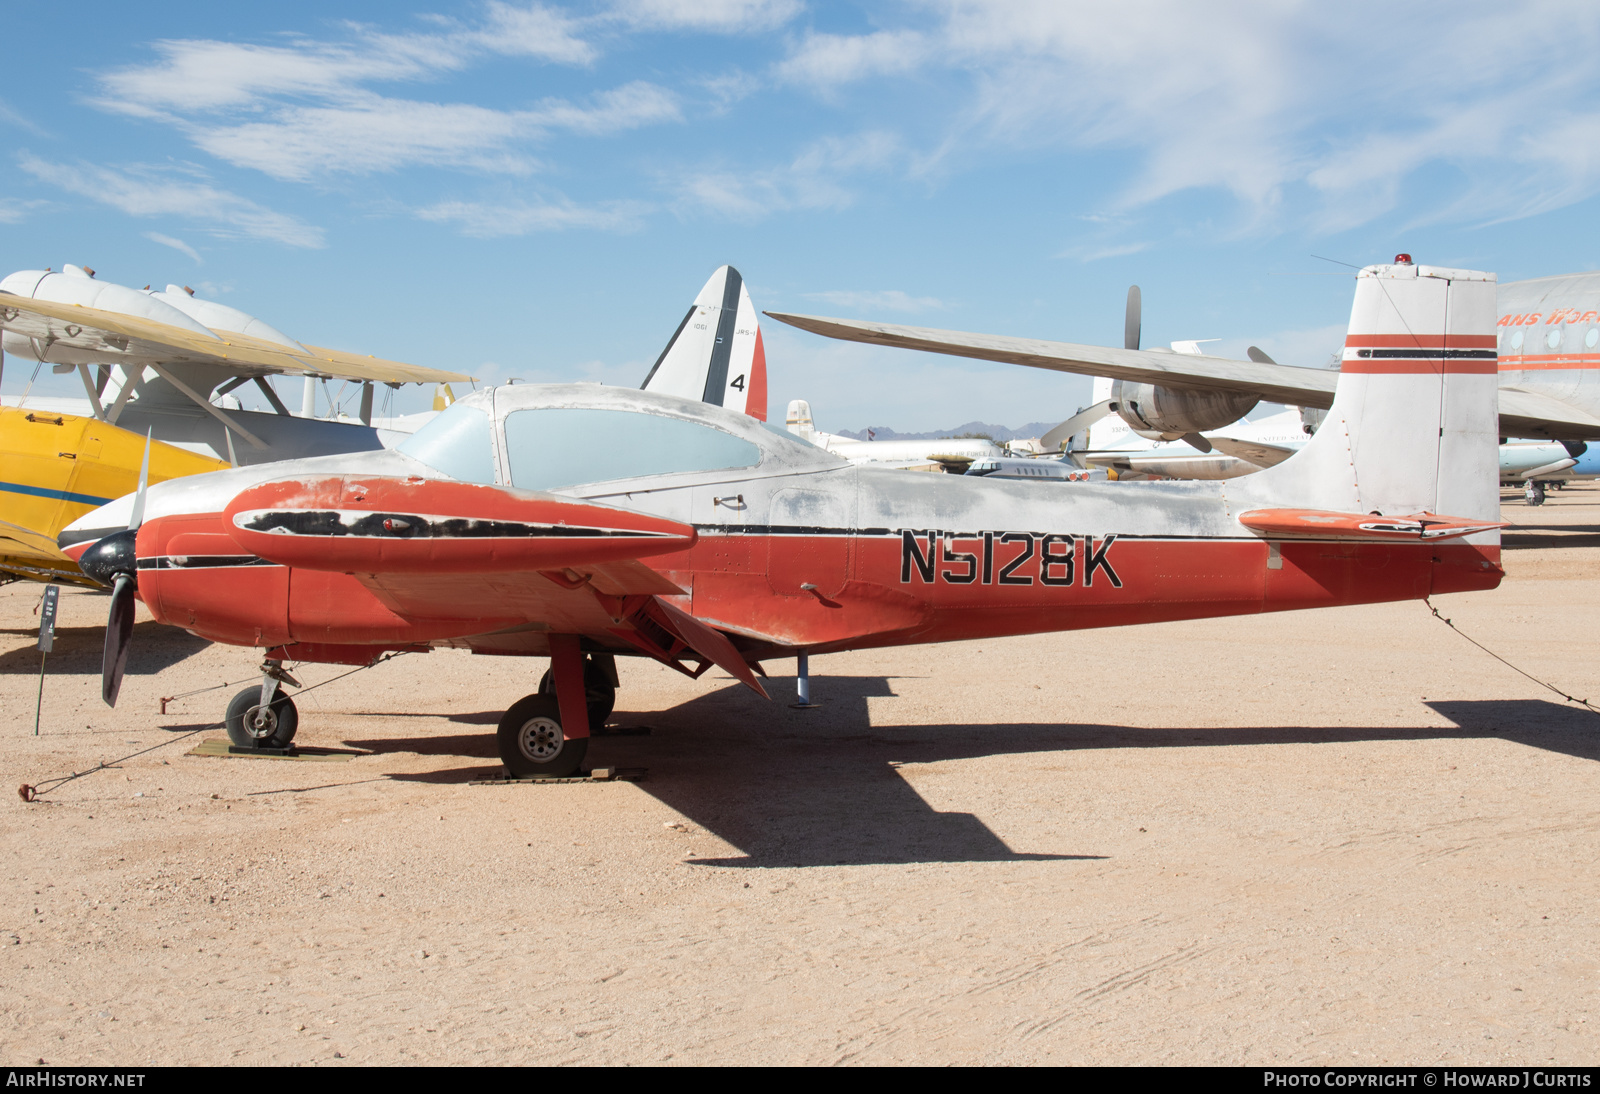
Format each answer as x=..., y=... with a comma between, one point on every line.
x=718, y=354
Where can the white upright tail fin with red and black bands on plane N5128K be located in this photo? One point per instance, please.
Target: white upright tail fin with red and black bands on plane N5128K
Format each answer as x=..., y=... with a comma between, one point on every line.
x=1414, y=426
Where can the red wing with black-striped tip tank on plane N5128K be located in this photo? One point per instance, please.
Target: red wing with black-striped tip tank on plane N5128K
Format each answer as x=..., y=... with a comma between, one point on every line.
x=489, y=564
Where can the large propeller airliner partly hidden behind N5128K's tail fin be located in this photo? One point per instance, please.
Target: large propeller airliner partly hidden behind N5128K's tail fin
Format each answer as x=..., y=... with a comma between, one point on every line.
x=1548, y=340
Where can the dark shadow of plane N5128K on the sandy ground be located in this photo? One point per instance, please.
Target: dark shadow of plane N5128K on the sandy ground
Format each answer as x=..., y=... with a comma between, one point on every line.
x=822, y=788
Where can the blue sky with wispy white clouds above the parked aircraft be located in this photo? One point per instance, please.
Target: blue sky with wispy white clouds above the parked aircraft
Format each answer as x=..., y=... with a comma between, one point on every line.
x=538, y=191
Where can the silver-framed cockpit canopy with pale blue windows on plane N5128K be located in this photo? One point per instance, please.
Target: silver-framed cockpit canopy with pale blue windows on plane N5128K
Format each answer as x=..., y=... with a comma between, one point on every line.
x=593, y=441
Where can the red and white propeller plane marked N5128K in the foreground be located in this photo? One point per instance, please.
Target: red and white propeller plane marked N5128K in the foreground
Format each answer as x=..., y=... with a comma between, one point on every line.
x=700, y=537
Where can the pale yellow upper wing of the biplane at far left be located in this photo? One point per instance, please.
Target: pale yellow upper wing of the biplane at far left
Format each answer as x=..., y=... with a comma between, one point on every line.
x=135, y=340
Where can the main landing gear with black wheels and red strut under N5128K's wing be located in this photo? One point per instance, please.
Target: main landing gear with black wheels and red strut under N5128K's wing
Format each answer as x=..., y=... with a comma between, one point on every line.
x=546, y=735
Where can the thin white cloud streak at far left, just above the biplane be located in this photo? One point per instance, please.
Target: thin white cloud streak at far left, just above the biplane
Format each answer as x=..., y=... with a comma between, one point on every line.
x=151, y=193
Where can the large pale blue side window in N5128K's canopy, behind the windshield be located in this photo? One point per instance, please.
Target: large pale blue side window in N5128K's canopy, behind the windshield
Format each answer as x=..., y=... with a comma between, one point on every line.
x=564, y=447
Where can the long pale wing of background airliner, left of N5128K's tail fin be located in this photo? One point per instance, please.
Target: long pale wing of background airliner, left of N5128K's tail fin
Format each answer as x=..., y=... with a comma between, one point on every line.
x=1274, y=383
